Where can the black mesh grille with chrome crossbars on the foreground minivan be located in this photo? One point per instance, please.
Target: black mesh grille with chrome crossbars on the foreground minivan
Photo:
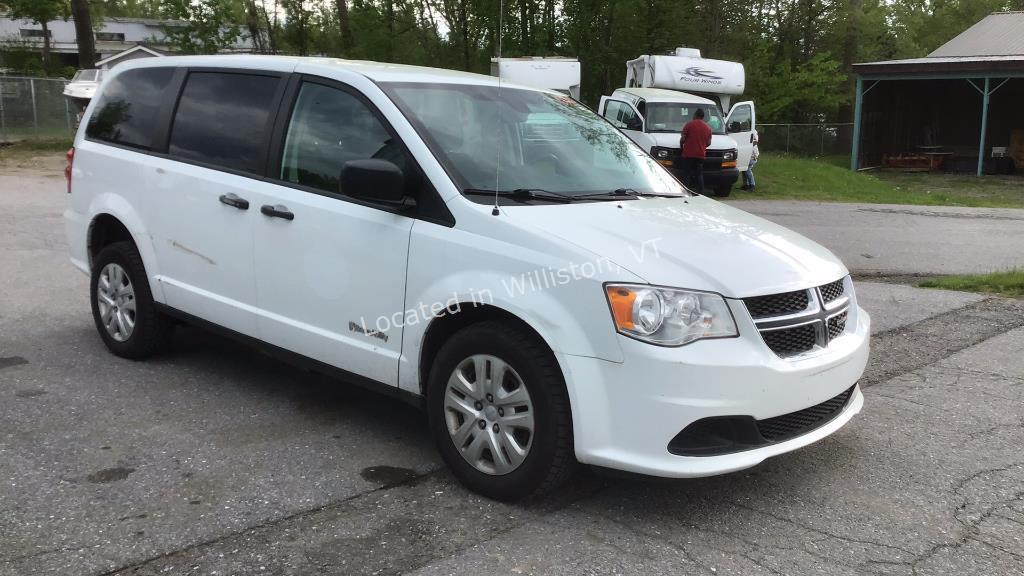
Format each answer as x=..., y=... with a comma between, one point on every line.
x=798, y=322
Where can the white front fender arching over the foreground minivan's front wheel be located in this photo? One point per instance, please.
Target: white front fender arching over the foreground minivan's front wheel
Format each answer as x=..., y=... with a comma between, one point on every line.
x=558, y=291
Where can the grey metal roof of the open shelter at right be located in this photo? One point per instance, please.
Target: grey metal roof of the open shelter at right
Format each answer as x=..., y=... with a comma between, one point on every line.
x=994, y=46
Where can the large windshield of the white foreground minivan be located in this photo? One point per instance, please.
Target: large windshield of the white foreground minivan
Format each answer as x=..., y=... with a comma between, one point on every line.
x=527, y=140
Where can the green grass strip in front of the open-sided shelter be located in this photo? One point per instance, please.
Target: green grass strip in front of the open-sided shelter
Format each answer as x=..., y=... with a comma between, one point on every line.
x=830, y=180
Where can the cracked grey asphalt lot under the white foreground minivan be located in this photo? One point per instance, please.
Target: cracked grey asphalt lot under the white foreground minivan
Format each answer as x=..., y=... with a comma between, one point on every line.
x=217, y=461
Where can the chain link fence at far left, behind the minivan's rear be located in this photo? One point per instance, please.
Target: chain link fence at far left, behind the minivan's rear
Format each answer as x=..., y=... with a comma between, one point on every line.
x=34, y=109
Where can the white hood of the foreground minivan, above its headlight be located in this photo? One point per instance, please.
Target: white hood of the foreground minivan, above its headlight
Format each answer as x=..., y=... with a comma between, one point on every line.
x=694, y=243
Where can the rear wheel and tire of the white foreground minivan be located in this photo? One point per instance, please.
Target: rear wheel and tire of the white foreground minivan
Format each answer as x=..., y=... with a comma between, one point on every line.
x=123, y=308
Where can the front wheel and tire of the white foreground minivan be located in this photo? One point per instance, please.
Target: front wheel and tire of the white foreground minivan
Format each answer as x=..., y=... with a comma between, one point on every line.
x=500, y=415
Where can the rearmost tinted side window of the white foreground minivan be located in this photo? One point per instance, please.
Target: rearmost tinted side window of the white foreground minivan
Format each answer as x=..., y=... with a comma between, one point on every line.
x=127, y=111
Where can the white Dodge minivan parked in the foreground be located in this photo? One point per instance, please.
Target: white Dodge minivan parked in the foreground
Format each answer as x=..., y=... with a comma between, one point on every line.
x=500, y=256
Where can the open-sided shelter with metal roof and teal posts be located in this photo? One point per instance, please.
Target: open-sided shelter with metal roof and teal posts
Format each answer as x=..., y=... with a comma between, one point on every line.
x=920, y=101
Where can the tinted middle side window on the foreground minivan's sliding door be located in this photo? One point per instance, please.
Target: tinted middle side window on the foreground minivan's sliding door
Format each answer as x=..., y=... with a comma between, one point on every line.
x=223, y=119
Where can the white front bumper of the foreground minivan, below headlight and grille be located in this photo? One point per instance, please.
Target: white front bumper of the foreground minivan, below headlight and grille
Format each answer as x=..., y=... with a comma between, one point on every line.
x=626, y=415
